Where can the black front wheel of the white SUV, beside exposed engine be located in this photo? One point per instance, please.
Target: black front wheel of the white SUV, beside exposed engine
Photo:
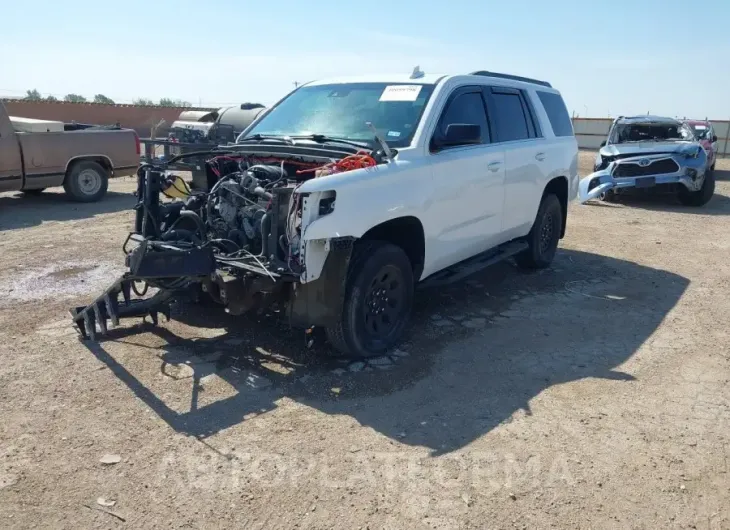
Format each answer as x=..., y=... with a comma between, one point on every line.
x=377, y=302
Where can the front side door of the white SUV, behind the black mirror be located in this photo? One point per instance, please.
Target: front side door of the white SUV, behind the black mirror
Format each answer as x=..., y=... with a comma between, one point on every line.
x=468, y=184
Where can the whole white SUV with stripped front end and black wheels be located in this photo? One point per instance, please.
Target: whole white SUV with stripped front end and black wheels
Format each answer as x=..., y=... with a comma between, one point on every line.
x=344, y=195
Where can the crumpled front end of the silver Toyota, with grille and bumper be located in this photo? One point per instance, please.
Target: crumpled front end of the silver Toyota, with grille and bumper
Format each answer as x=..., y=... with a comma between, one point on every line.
x=684, y=167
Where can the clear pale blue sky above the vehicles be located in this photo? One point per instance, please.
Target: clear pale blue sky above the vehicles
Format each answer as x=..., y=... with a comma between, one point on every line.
x=619, y=57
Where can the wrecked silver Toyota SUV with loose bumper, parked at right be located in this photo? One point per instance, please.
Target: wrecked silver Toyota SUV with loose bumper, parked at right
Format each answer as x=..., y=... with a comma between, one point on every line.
x=649, y=152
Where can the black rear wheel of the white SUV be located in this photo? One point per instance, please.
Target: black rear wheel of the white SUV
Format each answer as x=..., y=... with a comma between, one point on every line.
x=544, y=237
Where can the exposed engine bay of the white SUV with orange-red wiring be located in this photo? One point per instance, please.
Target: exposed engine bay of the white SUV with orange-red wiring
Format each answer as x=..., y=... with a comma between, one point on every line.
x=252, y=211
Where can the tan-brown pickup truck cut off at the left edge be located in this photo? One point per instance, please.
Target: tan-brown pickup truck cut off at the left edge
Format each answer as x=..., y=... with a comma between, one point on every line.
x=35, y=155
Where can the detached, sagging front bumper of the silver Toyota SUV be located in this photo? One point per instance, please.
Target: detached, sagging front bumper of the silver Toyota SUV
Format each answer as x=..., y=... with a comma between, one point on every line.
x=603, y=181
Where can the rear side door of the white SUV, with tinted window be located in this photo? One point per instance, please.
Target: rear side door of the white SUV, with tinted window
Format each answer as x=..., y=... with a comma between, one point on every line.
x=517, y=133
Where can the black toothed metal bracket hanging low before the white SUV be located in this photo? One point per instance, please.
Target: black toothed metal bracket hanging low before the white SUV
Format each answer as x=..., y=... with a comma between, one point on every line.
x=108, y=306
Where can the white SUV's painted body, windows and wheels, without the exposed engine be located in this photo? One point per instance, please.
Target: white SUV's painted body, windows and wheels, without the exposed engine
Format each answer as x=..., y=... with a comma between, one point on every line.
x=486, y=164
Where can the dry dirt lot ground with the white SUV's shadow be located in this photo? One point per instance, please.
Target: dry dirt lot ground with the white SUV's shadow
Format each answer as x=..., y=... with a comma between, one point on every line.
x=593, y=394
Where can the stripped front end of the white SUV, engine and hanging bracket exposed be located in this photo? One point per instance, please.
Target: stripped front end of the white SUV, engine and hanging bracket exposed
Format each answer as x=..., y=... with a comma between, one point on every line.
x=242, y=244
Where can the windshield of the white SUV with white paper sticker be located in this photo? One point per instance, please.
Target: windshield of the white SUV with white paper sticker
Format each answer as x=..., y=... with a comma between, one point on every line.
x=342, y=111
